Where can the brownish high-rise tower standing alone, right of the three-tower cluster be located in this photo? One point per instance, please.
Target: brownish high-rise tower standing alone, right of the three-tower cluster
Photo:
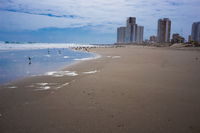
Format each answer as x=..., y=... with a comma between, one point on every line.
x=164, y=29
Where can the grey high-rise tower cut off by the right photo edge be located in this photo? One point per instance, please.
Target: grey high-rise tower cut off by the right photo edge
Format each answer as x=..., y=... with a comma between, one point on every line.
x=195, y=34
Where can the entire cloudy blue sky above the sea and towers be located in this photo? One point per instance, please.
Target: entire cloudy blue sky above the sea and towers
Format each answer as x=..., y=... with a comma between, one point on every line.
x=90, y=21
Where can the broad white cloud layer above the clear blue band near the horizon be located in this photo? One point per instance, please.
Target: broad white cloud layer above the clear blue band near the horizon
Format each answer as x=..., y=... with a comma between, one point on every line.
x=102, y=15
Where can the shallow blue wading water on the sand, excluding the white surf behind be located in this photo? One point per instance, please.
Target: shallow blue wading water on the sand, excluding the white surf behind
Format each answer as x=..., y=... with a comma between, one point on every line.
x=30, y=71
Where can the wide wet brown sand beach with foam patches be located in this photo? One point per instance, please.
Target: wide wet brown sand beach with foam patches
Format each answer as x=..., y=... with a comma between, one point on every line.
x=128, y=89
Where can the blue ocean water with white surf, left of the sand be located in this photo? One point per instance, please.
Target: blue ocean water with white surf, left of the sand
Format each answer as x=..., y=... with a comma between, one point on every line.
x=22, y=60
